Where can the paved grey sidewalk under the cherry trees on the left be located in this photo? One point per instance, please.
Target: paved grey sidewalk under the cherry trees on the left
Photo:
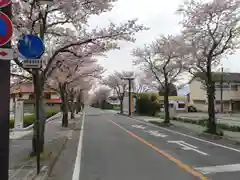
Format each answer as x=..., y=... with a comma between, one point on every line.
x=23, y=167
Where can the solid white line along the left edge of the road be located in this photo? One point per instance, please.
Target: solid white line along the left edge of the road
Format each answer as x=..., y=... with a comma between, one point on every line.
x=77, y=166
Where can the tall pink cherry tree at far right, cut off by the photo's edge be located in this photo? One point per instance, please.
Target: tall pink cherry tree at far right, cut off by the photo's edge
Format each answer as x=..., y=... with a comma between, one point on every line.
x=212, y=31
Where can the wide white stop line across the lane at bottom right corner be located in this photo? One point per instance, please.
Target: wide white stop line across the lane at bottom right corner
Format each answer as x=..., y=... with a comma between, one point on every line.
x=217, y=169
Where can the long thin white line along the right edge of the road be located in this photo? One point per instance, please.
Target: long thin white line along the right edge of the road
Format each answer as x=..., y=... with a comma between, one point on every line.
x=189, y=136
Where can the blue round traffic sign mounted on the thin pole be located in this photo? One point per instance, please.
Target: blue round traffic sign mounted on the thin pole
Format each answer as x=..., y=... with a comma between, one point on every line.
x=31, y=47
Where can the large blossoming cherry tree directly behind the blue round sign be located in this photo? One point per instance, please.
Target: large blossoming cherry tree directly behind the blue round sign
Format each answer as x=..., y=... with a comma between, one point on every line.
x=63, y=28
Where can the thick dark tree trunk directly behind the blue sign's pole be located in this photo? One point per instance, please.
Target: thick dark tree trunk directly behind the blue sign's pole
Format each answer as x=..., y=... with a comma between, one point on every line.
x=38, y=90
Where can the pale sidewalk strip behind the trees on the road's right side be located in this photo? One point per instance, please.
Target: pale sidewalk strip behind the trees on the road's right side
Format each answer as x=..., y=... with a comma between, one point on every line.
x=193, y=127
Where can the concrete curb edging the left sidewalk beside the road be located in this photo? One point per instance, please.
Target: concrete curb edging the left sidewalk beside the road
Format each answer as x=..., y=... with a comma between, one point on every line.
x=46, y=171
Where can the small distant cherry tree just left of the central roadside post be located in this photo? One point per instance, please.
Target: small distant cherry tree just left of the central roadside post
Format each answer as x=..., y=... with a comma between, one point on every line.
x=116, y=83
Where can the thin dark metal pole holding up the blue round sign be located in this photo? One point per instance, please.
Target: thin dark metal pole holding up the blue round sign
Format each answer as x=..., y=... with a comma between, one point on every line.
x=37, y=123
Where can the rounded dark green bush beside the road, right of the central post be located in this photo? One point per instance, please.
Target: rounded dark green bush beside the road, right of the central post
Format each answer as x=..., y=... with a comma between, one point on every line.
x=148, y=103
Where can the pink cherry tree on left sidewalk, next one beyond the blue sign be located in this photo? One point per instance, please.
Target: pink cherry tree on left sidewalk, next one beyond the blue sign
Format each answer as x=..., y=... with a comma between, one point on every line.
x=71, y=77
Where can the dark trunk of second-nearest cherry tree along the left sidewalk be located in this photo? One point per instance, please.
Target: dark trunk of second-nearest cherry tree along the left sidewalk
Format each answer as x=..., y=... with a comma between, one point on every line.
x=64, y=105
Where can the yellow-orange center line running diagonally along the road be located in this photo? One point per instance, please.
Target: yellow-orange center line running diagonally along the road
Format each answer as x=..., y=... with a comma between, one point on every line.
x=173, y=159
